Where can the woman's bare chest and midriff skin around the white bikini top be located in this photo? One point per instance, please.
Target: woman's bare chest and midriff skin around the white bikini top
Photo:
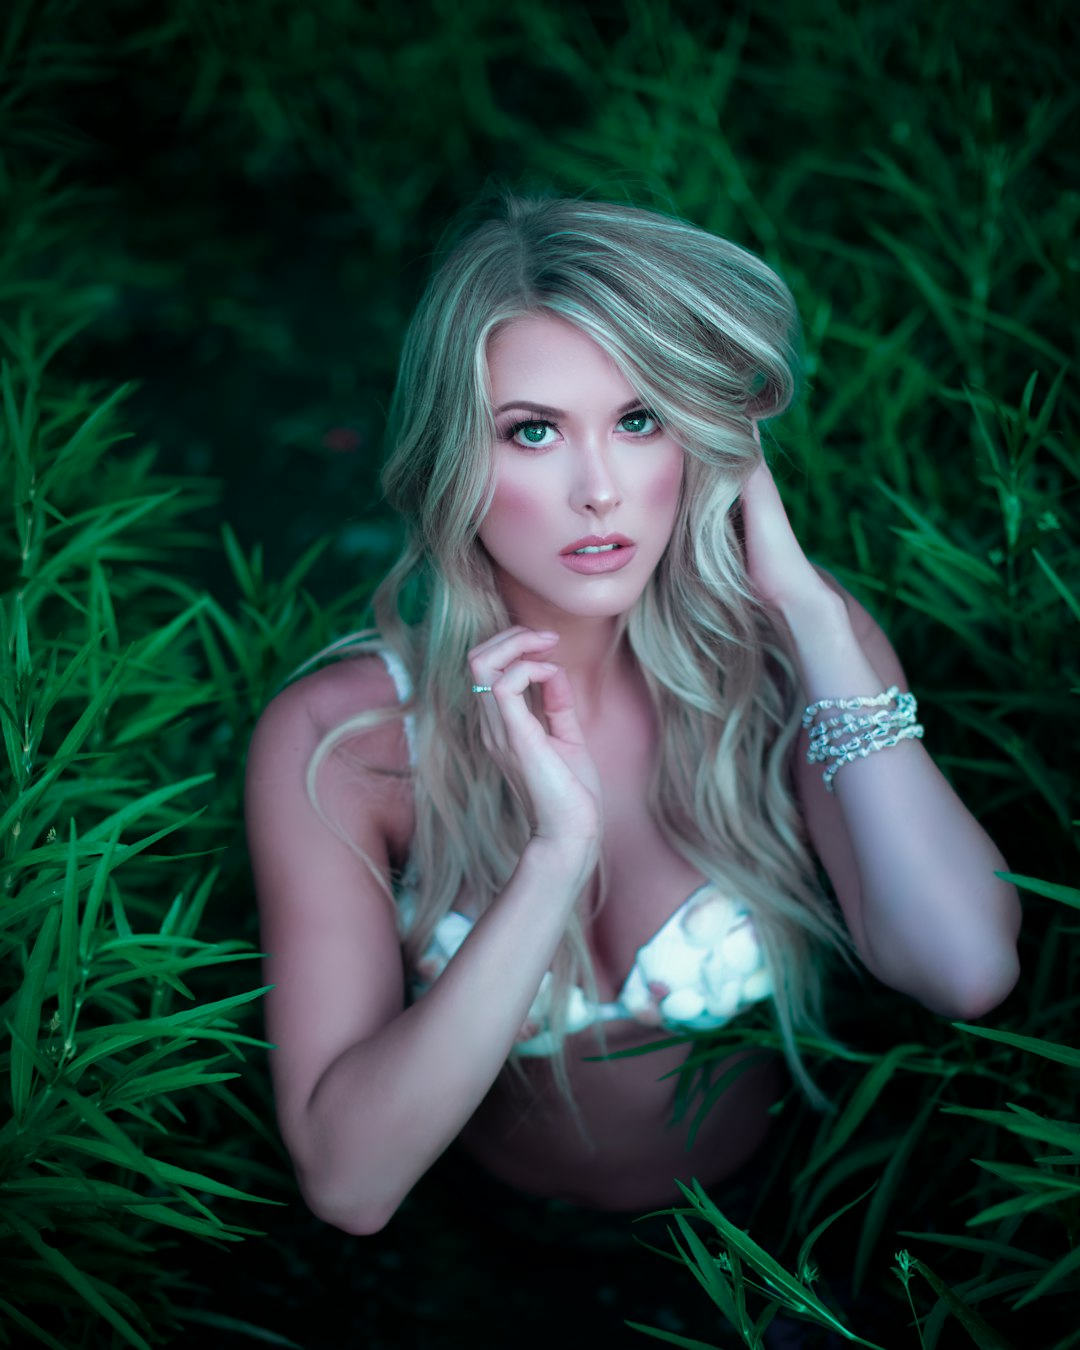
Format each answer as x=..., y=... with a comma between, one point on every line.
x=531, y=1140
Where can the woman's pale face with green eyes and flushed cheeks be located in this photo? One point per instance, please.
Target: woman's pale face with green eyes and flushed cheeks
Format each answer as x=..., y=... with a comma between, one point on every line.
x=577, y=454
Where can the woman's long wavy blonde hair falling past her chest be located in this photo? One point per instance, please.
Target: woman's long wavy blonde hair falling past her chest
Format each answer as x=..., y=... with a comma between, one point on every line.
x=708, y=337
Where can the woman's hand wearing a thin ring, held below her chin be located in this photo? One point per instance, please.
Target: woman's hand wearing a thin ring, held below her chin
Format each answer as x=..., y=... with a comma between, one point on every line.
x=556, y=770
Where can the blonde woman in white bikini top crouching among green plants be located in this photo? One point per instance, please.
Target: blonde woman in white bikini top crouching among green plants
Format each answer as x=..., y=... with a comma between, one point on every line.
x=595, y=762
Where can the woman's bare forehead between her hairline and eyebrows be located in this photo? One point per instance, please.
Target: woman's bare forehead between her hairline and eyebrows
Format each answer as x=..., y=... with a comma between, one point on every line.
x=538, y=349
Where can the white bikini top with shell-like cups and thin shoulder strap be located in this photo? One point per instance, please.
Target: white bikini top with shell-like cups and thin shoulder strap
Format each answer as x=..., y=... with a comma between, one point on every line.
x=703, y=969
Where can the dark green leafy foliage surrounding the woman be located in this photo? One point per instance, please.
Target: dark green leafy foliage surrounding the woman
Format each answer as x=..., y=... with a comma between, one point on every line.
x=227, y=209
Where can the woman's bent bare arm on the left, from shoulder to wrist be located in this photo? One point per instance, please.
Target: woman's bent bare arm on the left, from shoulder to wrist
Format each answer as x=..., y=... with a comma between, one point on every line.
x=371, y=1093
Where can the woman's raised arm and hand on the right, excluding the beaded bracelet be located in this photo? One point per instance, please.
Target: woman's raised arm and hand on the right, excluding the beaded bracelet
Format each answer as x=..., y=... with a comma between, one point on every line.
x=912, y=867
